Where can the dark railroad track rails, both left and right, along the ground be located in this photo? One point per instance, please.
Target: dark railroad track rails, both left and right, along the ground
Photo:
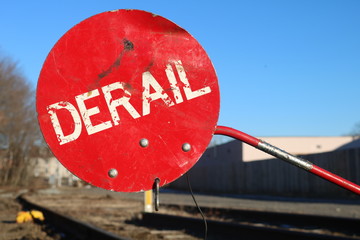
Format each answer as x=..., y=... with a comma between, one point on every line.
x=224, y=224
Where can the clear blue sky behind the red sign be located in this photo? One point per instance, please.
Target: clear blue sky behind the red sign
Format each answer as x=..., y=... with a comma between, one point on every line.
x=285, y=68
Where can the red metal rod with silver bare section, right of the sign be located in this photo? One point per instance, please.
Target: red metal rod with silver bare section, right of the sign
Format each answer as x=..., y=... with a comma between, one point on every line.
x=299, y=162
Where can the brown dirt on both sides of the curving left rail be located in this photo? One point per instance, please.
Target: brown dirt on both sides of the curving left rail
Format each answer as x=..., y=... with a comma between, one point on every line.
x=116, y=215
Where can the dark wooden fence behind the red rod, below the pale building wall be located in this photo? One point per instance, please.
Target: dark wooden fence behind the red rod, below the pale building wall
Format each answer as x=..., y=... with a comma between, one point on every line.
x=221, y=170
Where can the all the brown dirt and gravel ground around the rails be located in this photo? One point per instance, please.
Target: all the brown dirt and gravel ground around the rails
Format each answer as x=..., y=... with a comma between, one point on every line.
x=121, y=213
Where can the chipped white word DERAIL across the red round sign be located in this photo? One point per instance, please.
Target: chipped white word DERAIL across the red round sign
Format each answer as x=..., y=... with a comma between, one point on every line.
x=152, y=91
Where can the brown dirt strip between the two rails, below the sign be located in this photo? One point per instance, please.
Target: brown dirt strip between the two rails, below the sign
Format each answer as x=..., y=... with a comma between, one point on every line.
x=117, y=215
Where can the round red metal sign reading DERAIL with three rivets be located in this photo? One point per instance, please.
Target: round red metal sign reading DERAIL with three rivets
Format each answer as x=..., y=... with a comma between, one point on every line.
x=126, y=97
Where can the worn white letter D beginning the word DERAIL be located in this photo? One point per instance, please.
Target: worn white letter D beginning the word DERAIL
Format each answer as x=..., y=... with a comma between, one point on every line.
x=56, y=124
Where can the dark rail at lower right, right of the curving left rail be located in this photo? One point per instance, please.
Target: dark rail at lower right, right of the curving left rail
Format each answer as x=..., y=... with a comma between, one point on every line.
x=247, y=224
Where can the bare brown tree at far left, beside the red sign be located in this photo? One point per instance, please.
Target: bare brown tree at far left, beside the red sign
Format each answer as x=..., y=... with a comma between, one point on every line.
x=18, y=125
